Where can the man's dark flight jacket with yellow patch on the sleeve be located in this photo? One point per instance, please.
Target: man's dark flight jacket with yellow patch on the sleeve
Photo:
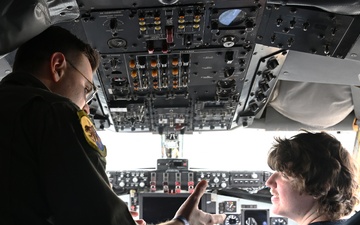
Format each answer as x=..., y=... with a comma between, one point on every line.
x=52, y=162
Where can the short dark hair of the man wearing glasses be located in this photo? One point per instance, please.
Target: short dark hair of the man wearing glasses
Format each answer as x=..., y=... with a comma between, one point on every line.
x=38, y=50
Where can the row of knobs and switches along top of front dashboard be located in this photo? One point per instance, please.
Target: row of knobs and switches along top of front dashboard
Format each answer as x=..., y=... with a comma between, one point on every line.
x=175, y=181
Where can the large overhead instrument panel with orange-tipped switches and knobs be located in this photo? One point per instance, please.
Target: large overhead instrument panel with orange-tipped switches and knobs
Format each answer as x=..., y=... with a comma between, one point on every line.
x=184, y=66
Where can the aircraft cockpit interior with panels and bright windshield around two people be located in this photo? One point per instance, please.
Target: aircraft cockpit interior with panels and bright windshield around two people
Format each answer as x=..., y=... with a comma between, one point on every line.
x=190, y=84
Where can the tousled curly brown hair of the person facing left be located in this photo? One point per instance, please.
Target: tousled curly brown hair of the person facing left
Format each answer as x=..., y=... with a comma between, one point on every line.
x=322, y=168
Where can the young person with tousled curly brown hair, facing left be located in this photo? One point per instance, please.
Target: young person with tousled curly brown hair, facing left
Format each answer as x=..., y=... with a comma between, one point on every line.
x=316, y=180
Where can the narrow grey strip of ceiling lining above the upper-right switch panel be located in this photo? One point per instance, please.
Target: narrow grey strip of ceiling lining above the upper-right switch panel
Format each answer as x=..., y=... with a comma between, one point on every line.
x=345, y=7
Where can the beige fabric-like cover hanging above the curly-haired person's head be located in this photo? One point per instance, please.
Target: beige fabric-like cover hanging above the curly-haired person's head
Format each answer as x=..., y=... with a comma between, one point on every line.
x=313, y=104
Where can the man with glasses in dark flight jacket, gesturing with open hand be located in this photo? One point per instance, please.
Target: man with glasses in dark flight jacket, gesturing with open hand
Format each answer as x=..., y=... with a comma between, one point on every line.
x=52, y=163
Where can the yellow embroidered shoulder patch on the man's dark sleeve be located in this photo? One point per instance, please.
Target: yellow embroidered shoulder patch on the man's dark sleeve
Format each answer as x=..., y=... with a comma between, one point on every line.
x=90, y=133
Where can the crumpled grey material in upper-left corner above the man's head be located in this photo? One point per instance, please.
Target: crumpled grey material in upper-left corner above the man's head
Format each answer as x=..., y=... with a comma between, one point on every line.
x=22, y=20
